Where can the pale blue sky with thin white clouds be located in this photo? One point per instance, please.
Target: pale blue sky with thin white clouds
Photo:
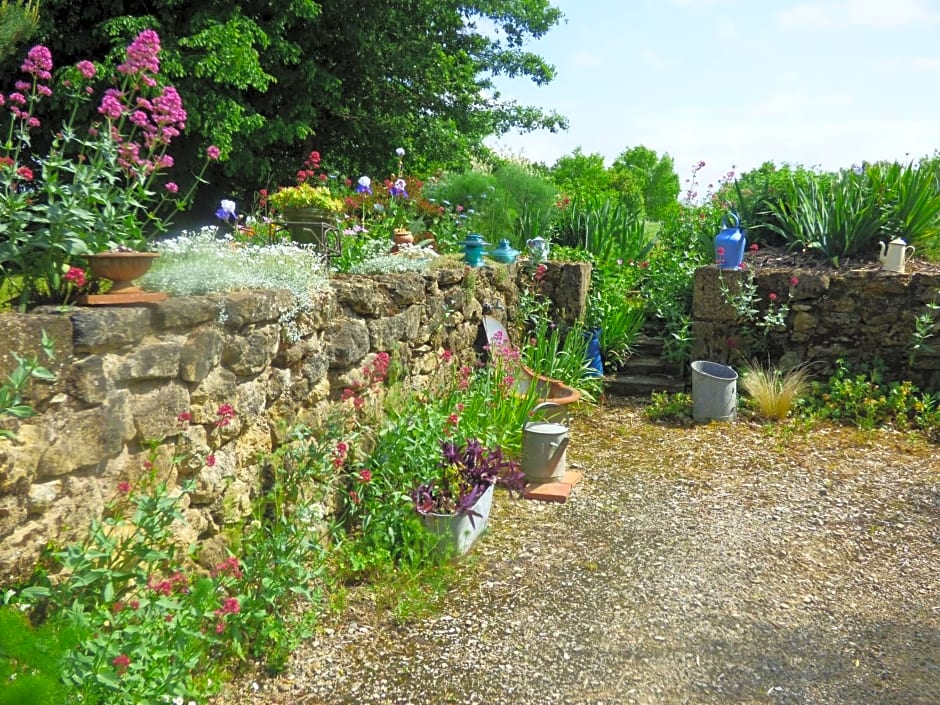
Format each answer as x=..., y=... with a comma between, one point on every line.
x=735, y=83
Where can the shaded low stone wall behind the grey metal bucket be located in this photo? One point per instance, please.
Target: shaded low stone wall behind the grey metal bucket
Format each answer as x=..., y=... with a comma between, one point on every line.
x=857, y=316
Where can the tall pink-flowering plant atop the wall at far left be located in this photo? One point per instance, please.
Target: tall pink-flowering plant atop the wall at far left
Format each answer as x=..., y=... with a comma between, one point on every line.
x=93, y=188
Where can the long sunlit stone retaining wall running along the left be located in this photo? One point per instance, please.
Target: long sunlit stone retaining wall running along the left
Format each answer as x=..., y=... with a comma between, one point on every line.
x=125, y=373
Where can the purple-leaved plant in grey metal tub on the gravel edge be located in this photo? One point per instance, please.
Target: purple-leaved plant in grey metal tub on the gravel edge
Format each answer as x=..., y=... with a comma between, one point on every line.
x=455, y=503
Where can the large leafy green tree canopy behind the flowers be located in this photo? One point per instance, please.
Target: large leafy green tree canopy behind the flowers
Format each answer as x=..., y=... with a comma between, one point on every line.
x=353, y=79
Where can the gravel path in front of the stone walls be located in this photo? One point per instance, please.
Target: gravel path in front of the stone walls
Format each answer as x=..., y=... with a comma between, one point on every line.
x=714, y=564
